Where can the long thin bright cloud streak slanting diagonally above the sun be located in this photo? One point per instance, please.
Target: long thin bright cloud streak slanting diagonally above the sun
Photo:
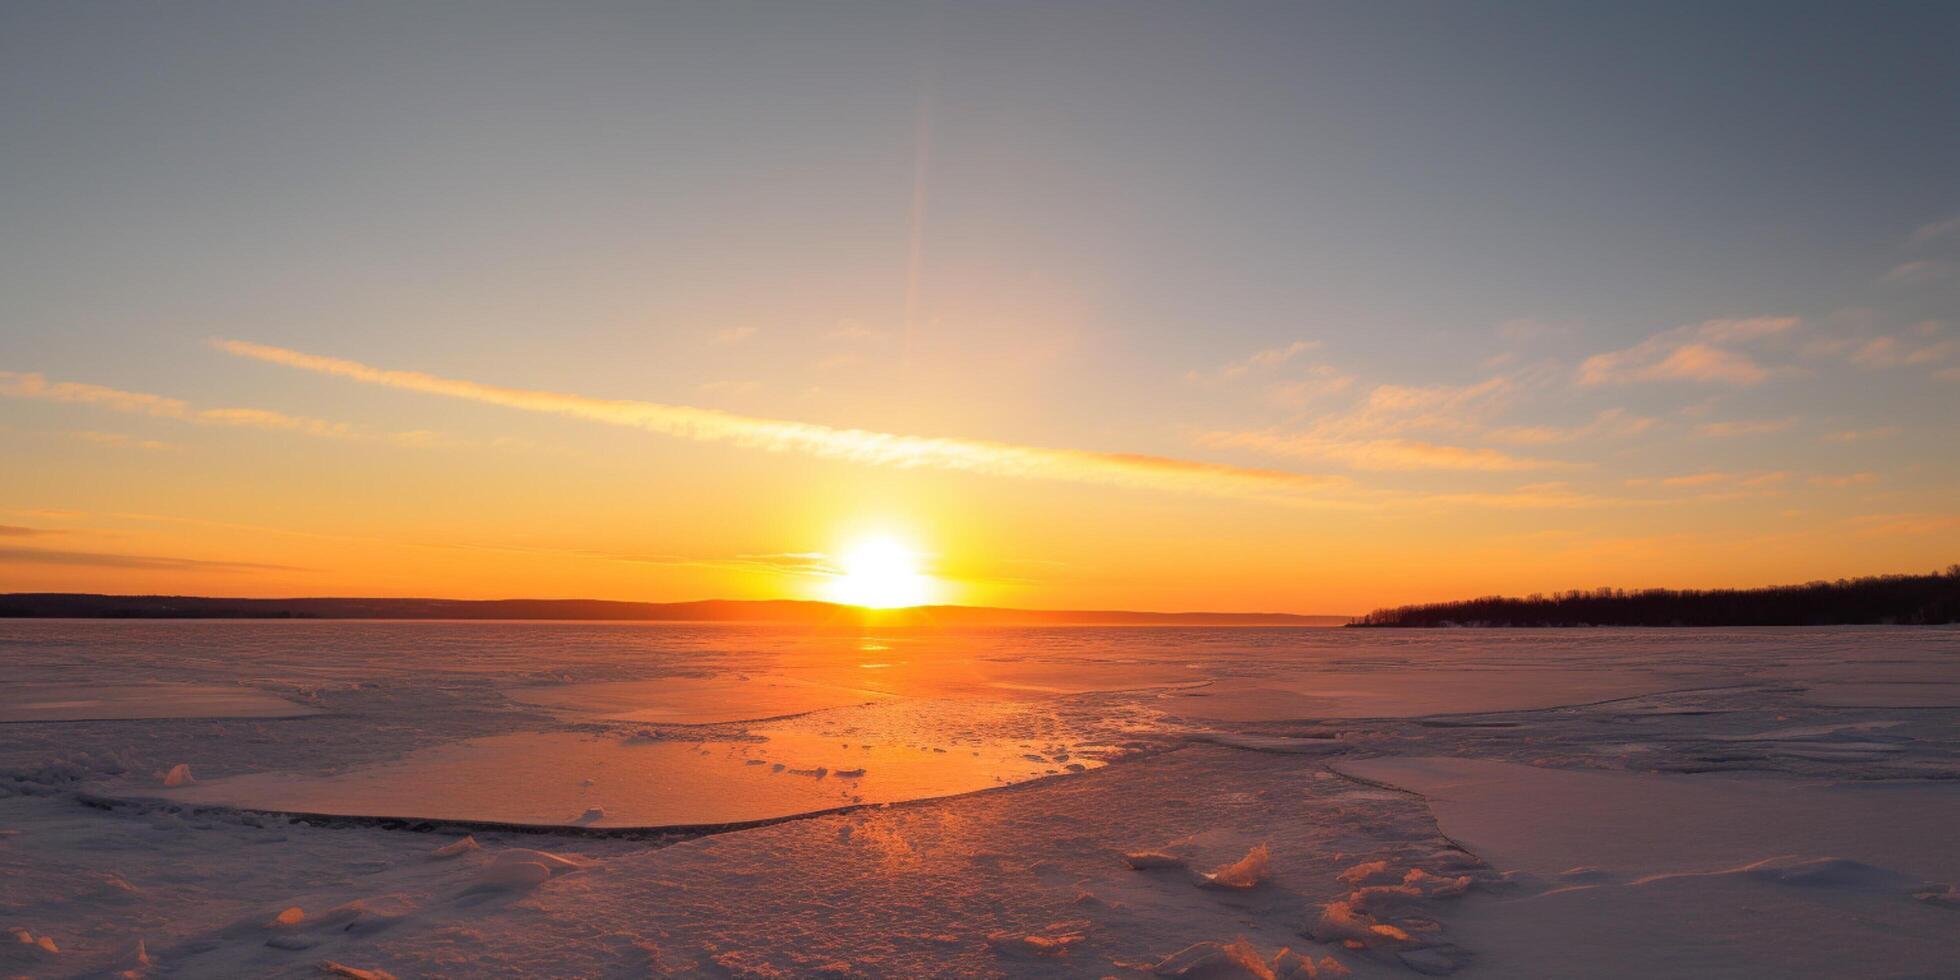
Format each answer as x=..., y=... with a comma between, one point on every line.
x=826, y=442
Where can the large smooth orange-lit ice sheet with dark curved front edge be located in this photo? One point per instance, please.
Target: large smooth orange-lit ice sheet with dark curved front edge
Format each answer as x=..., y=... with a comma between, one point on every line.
x=565, y=779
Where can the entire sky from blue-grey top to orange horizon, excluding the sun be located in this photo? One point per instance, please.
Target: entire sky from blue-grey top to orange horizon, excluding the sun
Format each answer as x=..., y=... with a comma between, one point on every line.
x=1099, y=305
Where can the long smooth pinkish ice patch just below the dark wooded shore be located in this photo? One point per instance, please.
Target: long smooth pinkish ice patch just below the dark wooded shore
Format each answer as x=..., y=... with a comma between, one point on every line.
x=1414, y=693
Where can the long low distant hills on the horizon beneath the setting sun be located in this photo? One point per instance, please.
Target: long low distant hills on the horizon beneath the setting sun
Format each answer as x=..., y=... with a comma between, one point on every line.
x=89, y=607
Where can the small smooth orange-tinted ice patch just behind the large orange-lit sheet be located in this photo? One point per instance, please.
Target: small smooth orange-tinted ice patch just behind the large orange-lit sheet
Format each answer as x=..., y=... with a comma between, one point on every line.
x=685, y=701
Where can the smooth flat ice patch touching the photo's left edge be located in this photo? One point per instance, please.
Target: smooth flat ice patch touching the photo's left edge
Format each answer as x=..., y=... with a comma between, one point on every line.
x=122, y=703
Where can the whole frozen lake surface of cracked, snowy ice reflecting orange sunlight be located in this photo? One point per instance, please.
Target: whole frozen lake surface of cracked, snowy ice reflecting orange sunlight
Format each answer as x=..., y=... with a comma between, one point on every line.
x=1020, y=803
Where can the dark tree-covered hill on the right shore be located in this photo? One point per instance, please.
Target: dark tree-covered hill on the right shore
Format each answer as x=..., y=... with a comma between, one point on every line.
x=1892, y=599
